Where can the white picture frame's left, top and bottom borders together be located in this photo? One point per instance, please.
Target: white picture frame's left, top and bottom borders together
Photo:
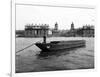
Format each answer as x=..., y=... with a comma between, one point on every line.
x=13, y=12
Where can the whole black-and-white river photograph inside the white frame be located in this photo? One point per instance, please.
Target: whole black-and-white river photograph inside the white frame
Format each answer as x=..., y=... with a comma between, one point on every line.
x=53, y=38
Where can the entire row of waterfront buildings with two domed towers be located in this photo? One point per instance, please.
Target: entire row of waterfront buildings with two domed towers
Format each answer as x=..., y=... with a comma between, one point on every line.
x=43, y=29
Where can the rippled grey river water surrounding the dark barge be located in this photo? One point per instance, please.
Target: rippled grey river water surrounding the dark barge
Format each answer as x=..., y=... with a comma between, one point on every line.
x=30, y=60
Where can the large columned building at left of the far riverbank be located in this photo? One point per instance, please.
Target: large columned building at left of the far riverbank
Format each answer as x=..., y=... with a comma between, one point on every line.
x=36, y=30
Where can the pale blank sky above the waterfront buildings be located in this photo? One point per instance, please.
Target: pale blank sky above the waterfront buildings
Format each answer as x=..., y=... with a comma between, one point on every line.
x=50, y=15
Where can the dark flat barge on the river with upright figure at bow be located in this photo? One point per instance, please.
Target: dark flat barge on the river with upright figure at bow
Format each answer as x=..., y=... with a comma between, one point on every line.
x=60, y=45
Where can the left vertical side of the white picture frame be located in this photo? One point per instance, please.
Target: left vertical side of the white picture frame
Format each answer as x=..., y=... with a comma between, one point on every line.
x=13, y=38
